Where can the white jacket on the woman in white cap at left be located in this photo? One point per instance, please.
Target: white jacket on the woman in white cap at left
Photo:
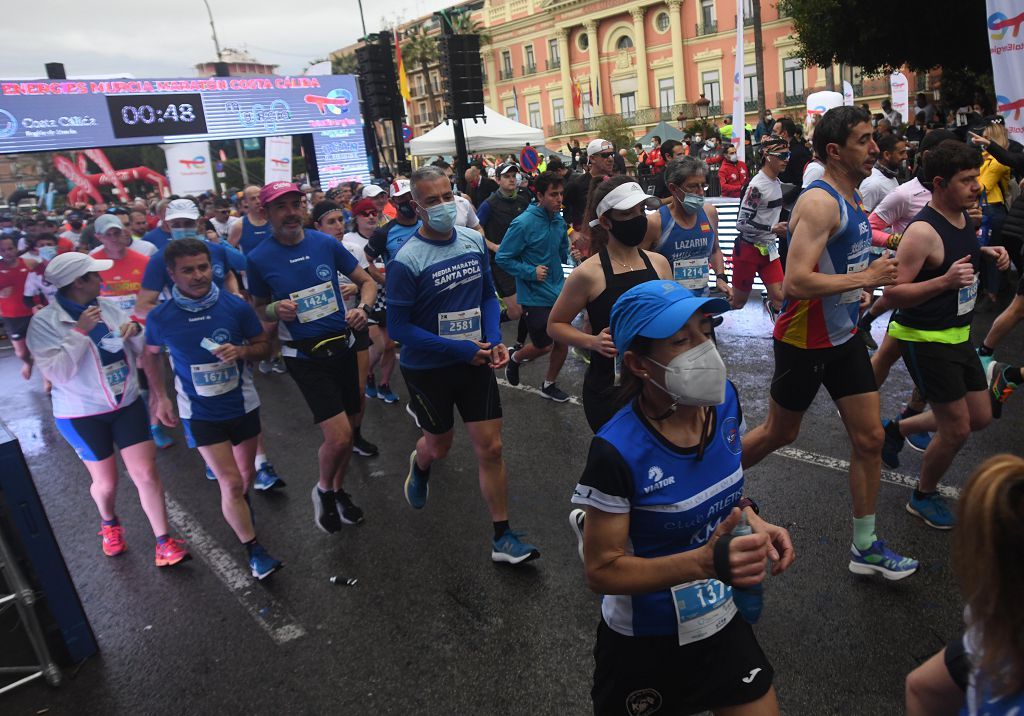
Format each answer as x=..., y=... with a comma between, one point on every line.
x=71, y=361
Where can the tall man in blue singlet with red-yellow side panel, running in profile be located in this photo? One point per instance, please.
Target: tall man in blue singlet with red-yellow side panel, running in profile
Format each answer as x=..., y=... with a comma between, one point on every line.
x=816, y=339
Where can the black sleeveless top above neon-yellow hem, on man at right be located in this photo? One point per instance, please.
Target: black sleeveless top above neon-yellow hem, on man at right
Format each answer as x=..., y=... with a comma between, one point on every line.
x=952, y=309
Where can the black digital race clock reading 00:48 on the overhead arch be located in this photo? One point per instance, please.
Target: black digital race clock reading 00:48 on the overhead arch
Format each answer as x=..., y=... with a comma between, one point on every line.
x=156, y=115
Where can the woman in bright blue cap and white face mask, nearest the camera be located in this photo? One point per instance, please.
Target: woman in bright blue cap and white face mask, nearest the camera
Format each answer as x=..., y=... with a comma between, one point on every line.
x=663, y=491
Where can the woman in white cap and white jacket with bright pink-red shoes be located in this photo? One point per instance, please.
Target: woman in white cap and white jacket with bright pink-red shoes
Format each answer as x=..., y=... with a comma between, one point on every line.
x=88, y=349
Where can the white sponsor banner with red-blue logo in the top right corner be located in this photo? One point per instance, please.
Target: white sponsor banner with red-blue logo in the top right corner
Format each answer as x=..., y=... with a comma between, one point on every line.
x=1006, y=45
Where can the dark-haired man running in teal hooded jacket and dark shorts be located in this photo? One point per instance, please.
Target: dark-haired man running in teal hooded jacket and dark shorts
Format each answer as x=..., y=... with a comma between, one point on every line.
x=533, y=251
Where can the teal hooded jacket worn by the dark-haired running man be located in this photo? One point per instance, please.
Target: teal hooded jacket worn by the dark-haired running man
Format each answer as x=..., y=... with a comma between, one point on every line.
x=536, y=238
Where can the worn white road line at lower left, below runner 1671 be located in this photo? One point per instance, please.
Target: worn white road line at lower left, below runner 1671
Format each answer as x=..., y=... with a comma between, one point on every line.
x=265, y=610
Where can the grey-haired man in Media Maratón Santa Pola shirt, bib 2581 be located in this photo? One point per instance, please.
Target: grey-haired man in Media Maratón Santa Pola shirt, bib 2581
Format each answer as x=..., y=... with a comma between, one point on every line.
x=444, y=312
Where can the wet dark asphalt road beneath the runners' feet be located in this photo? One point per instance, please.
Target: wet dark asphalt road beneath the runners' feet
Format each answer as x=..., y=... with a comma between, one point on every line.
x=433, y=626
